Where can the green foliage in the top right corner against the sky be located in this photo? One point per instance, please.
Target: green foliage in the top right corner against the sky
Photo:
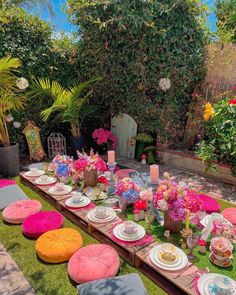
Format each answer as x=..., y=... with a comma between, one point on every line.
x=226, y=20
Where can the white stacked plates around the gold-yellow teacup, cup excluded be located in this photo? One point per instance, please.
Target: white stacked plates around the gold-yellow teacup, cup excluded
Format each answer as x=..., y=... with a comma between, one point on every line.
x=180, y=263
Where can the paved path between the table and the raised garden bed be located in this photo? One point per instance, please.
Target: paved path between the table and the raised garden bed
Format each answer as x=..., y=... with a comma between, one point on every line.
x=202, y=183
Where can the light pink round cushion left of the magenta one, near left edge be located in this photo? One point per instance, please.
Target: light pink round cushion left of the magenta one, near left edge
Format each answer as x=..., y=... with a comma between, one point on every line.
x=18, y=211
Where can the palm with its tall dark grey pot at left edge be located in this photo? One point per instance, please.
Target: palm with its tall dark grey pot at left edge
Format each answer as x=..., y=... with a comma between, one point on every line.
x=11, y=99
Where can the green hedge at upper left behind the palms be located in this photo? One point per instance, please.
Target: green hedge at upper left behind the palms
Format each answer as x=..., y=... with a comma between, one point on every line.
x=30, y=38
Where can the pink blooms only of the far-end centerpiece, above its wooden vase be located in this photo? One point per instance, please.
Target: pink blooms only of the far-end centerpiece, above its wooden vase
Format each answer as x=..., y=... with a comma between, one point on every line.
x=89, y=162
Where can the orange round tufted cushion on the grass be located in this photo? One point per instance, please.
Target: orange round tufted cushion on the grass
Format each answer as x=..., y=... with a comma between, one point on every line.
x=58, y=245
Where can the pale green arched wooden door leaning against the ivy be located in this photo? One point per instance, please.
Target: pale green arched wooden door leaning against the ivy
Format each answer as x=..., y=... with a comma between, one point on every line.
x=125, y=128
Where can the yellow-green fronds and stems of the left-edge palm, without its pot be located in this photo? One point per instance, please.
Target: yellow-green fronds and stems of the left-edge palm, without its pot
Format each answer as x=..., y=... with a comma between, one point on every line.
x=11, y=98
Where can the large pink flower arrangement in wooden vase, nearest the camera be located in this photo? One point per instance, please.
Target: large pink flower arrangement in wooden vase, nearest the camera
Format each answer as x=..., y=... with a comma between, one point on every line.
x=174, y=199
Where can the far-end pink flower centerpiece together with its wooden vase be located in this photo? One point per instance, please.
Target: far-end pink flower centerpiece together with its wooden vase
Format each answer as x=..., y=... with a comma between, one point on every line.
x=89, y=165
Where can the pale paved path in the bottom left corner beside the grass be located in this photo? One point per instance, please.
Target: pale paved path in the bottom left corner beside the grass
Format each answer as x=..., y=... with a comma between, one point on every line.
x=12, y=280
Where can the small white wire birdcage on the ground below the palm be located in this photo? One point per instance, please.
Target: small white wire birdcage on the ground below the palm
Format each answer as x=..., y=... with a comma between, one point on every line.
x=56, y=145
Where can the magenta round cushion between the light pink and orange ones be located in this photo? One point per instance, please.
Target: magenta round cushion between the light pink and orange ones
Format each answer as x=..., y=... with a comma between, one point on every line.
x=39, y=223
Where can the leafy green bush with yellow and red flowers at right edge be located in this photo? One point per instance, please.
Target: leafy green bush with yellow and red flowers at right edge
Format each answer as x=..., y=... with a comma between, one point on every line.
x=219, y=144
